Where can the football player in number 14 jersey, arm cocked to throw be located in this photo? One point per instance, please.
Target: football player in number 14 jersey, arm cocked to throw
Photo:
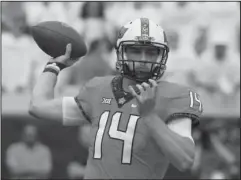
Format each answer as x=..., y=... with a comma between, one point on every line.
x=139, y=123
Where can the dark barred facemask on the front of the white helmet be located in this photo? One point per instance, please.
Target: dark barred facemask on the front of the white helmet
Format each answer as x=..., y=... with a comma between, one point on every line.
x=128, y=67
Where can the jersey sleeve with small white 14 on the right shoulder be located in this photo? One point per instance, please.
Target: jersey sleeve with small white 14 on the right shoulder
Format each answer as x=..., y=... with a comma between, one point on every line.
x=186, y=104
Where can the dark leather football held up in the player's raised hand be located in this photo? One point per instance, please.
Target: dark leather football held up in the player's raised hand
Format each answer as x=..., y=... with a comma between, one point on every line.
x=53, y=36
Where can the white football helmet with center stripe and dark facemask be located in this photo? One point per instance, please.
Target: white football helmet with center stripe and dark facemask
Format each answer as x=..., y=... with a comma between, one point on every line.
x=141, y=31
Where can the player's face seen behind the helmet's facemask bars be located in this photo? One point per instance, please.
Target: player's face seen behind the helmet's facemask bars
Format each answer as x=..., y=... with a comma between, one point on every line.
x=142, y=53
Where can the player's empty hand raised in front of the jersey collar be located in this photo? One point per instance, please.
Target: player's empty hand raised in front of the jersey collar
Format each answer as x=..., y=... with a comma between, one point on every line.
x=145, y=97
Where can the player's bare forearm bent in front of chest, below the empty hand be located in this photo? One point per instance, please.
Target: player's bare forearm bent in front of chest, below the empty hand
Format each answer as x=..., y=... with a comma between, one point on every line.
x=179, y=150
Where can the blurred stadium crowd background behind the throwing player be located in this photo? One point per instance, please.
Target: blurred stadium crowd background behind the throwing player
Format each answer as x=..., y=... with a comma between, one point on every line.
x=204, y=39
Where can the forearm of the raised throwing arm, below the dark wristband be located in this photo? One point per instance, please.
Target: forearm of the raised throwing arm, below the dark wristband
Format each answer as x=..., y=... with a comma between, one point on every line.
x=44, y=88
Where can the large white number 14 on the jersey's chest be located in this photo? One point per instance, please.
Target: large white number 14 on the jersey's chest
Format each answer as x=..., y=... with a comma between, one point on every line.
x=127, y=136
